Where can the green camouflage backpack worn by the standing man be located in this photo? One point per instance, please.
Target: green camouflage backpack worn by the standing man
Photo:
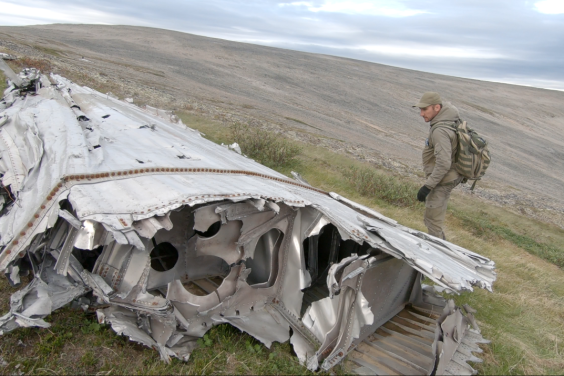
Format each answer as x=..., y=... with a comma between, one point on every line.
x=472, y=157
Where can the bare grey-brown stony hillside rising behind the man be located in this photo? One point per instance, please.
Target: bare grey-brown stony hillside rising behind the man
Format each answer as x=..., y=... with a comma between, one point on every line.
x=348, y=105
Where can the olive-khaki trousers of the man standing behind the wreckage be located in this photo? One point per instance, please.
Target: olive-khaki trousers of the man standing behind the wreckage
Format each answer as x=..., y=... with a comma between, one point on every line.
x=435, y=208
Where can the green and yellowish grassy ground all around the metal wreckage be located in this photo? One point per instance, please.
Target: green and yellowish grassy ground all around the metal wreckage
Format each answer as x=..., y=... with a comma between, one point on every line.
x=523, y=316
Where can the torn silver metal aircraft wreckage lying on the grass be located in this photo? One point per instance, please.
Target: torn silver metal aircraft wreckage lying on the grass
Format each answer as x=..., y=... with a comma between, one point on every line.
x=126, y=211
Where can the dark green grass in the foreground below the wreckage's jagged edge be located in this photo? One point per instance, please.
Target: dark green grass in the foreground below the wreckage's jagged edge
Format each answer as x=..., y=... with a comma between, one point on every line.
x=77, y=344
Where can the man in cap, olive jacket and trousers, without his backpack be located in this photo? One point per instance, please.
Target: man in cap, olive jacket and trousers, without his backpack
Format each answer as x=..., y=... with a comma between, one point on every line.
x=438, y=160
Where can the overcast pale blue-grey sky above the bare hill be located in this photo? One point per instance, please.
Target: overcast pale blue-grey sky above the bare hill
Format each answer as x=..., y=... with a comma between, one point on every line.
x=514, y=41
